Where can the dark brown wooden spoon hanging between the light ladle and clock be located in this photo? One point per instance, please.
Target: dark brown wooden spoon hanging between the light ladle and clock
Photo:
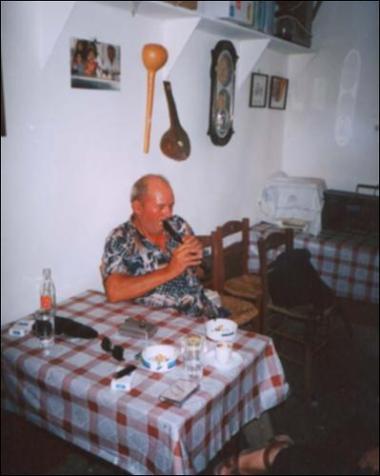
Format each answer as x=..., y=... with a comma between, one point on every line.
x=175, y=142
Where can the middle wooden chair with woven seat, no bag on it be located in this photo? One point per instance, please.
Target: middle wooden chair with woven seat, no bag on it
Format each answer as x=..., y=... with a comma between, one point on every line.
x=232, y=273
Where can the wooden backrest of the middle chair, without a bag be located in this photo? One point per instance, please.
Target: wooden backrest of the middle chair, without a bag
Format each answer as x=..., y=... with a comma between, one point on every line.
x=231, y=258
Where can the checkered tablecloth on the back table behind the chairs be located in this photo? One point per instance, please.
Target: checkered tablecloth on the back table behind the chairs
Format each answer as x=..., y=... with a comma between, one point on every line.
x=347, y=263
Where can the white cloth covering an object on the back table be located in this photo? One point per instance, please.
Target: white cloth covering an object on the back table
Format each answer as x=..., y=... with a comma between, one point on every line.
x=295, y=198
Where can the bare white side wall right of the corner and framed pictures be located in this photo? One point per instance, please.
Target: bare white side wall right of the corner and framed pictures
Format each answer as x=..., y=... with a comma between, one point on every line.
x=333, y=105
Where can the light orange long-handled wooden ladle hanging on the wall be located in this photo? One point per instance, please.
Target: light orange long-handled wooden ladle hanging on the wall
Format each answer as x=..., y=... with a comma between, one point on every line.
x=154, y=57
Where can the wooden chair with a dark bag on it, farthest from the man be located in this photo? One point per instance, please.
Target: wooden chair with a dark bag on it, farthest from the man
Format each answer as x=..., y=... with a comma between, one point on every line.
x=300, y=328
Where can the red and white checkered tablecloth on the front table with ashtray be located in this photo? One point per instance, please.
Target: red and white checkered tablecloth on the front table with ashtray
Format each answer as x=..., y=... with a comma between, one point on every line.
x=68, y=391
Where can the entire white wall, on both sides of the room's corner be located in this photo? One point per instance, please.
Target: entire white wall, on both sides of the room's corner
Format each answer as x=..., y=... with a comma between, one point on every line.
x=71, y=156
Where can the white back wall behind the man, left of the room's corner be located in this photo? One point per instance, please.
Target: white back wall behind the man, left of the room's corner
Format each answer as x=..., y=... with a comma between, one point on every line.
x=71, y=156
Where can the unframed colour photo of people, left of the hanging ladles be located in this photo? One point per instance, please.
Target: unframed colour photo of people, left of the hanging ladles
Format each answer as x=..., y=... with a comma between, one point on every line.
x=94, y=65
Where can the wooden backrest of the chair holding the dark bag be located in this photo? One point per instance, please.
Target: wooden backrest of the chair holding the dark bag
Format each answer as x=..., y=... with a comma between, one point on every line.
x=274, y=243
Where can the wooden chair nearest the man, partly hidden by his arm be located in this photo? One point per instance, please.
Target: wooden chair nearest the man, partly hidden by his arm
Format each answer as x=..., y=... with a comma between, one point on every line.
x=243, y=312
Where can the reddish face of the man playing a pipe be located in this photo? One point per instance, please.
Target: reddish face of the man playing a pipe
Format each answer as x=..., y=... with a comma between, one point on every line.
x=154, y=207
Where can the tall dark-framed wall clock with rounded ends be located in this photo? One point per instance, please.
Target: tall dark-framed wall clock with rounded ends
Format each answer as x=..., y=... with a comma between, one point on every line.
x=223, y=68
